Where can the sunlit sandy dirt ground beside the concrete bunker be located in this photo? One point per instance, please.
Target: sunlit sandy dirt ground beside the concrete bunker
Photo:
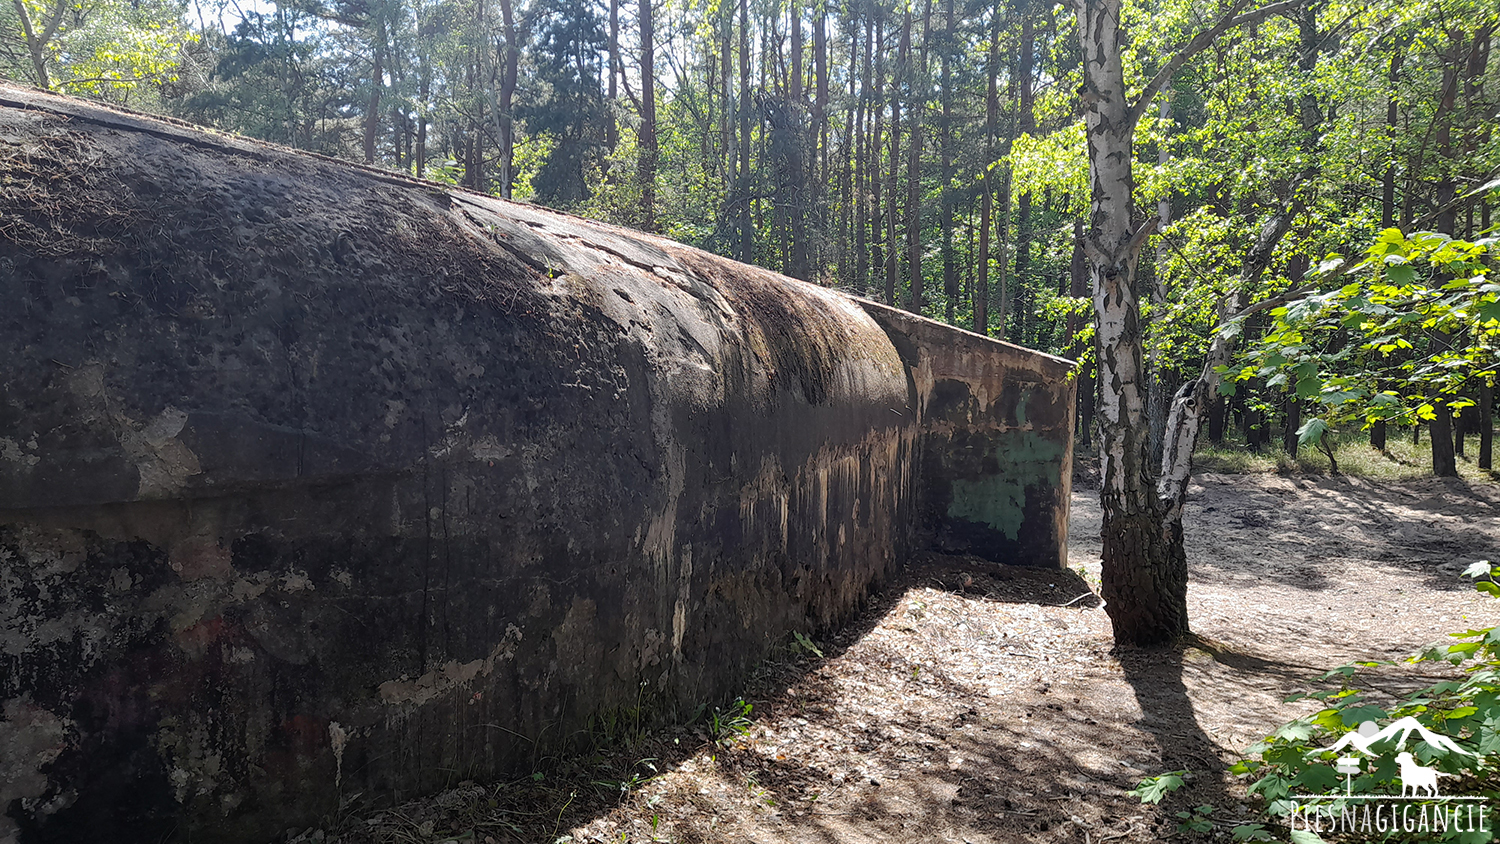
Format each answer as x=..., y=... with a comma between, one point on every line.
x=983, y=705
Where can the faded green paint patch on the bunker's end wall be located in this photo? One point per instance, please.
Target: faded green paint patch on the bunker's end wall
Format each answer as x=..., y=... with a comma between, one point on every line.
x=1000, y=501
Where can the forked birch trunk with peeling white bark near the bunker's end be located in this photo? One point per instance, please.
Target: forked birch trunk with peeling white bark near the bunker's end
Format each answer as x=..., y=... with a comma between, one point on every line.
x=1115, y=251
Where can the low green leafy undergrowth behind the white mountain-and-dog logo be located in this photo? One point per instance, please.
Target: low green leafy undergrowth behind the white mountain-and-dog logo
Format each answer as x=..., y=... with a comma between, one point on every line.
x=1322, y=774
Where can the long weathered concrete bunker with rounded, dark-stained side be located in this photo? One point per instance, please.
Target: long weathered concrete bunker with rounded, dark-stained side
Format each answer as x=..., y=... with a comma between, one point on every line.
x=320, y=482
